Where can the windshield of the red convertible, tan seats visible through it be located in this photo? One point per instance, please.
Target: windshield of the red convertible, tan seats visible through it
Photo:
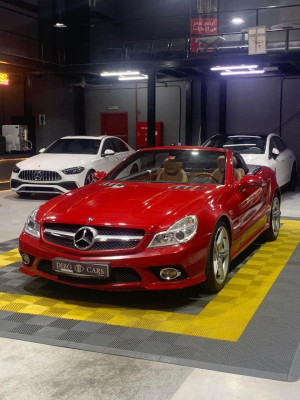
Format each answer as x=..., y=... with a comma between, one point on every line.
x=179, y=166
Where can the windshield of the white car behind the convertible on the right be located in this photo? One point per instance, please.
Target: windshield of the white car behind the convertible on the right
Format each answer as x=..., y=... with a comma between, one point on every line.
x=242, y=144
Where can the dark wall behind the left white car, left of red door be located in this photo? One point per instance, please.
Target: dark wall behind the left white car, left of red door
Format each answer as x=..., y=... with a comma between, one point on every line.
x=54, y=97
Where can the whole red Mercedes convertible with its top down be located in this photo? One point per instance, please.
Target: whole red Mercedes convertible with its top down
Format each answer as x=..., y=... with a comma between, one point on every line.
x=164, y=218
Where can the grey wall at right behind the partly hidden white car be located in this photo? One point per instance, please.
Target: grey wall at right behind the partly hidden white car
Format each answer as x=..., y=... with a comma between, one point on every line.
x=253, y=106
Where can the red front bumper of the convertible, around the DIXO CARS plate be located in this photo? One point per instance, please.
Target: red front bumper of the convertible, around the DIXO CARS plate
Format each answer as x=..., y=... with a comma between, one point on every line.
x=140, y=270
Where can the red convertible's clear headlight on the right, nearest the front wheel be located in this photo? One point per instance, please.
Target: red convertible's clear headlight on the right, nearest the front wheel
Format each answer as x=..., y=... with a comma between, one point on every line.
x=182, y=231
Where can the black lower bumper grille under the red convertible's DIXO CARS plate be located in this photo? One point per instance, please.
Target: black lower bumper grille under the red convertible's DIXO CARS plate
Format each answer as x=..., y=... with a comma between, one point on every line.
x=118, y=275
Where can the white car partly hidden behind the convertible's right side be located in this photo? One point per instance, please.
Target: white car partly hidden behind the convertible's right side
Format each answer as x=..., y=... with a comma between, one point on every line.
x=269, y=150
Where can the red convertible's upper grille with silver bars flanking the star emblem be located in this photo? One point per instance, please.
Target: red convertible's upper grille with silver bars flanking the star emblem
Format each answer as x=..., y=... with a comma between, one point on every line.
x=110, y=244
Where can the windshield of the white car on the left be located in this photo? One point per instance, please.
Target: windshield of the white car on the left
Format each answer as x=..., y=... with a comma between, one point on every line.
x=74, y=146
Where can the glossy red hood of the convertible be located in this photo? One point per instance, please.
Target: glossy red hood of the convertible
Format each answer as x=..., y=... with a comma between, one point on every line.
x=126, y=204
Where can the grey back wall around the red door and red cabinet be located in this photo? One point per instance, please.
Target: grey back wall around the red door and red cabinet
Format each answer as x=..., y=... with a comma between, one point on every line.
x=170, y=108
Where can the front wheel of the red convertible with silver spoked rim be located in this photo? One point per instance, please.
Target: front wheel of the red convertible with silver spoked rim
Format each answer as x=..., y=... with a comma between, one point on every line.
x=218, y=257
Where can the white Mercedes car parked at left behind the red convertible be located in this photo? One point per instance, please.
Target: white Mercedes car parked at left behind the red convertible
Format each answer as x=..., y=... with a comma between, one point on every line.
x=67, y=164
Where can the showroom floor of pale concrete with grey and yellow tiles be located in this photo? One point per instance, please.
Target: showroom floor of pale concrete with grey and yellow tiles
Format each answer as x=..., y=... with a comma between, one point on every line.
x=85, y=358
